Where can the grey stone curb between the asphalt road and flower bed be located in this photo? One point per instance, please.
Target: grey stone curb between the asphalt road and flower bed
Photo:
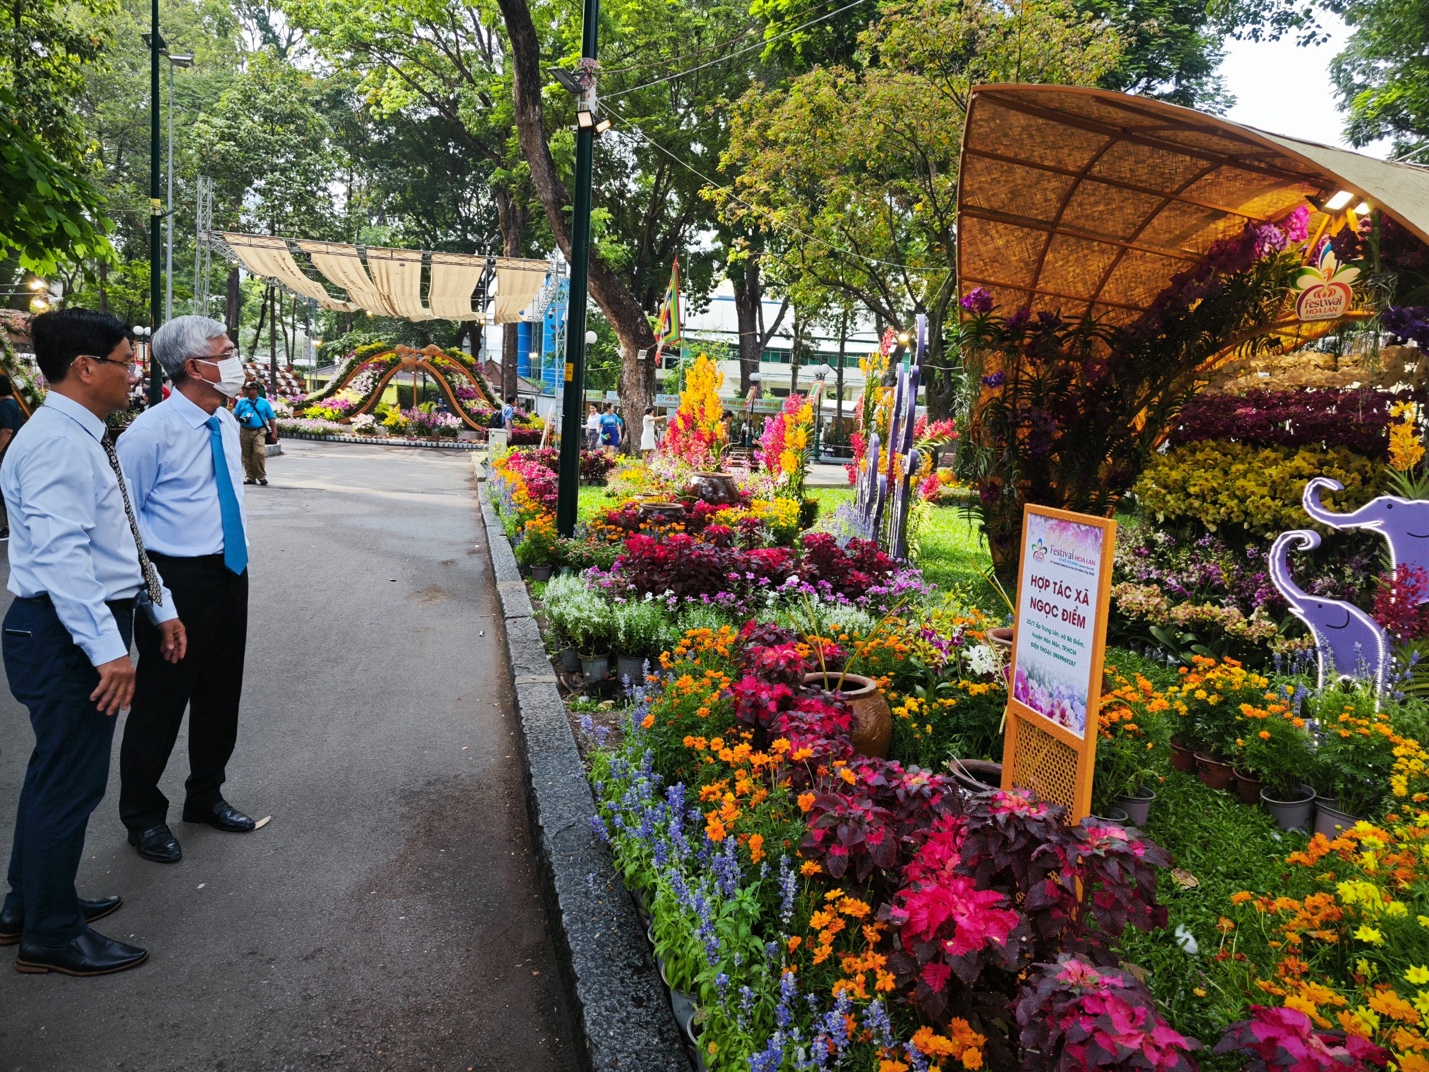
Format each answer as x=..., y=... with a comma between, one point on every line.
x=621, y=1003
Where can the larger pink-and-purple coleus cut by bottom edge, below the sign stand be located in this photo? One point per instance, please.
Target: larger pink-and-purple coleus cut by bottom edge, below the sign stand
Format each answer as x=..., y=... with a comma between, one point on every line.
x=1078, y=1017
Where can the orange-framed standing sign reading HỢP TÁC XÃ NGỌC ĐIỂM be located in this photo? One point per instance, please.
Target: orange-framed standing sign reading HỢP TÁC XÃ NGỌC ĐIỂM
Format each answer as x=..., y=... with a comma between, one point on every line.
x=1060, y=640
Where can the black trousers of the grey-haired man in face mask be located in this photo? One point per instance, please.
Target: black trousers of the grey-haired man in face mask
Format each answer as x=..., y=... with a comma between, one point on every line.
x=214, y=607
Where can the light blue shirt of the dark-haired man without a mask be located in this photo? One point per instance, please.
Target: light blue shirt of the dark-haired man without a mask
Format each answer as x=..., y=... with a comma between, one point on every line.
x=69, y=537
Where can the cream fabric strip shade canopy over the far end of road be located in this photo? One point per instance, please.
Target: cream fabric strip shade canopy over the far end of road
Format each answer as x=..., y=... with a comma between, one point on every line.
x=388, y=282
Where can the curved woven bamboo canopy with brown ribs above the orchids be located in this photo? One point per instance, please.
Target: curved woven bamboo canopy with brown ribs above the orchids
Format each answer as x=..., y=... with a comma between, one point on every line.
x=1087, y=202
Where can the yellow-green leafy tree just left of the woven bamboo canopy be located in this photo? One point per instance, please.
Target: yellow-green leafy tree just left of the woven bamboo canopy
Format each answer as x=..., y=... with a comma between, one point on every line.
x=852, y=174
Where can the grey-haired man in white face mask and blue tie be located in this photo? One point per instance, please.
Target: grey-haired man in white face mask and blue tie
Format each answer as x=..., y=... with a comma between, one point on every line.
x=186, y=481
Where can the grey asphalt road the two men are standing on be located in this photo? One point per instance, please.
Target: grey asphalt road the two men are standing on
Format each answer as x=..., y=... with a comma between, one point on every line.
x=389, y=917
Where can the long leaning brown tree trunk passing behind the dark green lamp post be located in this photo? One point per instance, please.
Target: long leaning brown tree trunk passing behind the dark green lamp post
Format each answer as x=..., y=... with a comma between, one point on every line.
x=617, y=301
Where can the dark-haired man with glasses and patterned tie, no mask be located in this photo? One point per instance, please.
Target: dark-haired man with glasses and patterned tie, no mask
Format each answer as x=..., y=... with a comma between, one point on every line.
x=78, y=570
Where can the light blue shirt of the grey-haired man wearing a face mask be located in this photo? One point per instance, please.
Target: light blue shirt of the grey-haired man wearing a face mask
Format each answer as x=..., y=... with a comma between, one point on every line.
x=168, y=461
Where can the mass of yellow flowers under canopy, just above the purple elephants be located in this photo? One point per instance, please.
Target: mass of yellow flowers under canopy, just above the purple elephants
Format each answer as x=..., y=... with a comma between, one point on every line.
x=1220, y=482
